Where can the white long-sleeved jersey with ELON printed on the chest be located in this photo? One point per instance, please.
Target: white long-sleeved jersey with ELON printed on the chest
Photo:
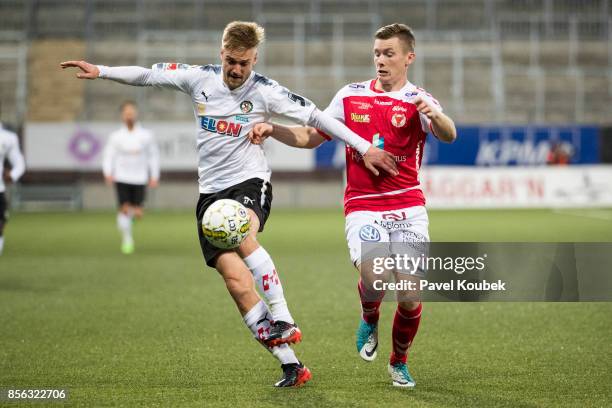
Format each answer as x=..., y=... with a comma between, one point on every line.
x=224, y=117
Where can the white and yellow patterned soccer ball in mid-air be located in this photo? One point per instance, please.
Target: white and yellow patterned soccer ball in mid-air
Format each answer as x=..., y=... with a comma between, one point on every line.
x=226, y=224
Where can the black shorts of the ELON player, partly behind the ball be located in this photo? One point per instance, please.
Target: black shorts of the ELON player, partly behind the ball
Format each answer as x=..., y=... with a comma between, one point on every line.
x=254, y=193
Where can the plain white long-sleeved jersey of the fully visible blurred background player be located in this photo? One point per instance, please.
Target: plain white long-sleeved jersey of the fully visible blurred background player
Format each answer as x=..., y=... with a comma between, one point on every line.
x=131, y=157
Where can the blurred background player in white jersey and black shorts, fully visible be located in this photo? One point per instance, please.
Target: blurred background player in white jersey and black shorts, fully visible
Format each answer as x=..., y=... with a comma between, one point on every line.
x=131, y=161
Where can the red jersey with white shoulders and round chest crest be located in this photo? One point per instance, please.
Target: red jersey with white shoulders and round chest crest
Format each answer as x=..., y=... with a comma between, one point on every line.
x=391, y=122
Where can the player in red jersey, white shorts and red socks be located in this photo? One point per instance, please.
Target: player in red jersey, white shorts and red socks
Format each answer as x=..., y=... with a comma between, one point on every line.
x=396, y=116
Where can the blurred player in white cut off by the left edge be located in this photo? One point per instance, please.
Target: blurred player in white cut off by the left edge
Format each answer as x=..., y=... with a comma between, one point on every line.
x=9, y=149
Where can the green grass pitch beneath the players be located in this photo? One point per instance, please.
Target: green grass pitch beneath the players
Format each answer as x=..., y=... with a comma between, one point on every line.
x=157, y=328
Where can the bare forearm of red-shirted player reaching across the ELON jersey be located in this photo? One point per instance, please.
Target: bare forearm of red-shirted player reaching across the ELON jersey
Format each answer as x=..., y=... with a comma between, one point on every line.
x=303, y=137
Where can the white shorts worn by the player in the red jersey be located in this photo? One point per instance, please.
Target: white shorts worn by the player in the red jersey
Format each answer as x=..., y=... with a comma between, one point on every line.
x=403, y=226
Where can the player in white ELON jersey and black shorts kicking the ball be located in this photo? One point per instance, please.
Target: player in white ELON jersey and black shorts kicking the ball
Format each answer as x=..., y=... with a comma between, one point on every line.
x=228, y=99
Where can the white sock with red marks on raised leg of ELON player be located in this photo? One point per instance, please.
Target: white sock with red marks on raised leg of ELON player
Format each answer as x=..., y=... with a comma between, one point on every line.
x=268, y=283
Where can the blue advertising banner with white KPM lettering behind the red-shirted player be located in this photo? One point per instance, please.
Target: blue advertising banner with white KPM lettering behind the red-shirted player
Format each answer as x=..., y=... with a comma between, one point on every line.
x=499, y=146
